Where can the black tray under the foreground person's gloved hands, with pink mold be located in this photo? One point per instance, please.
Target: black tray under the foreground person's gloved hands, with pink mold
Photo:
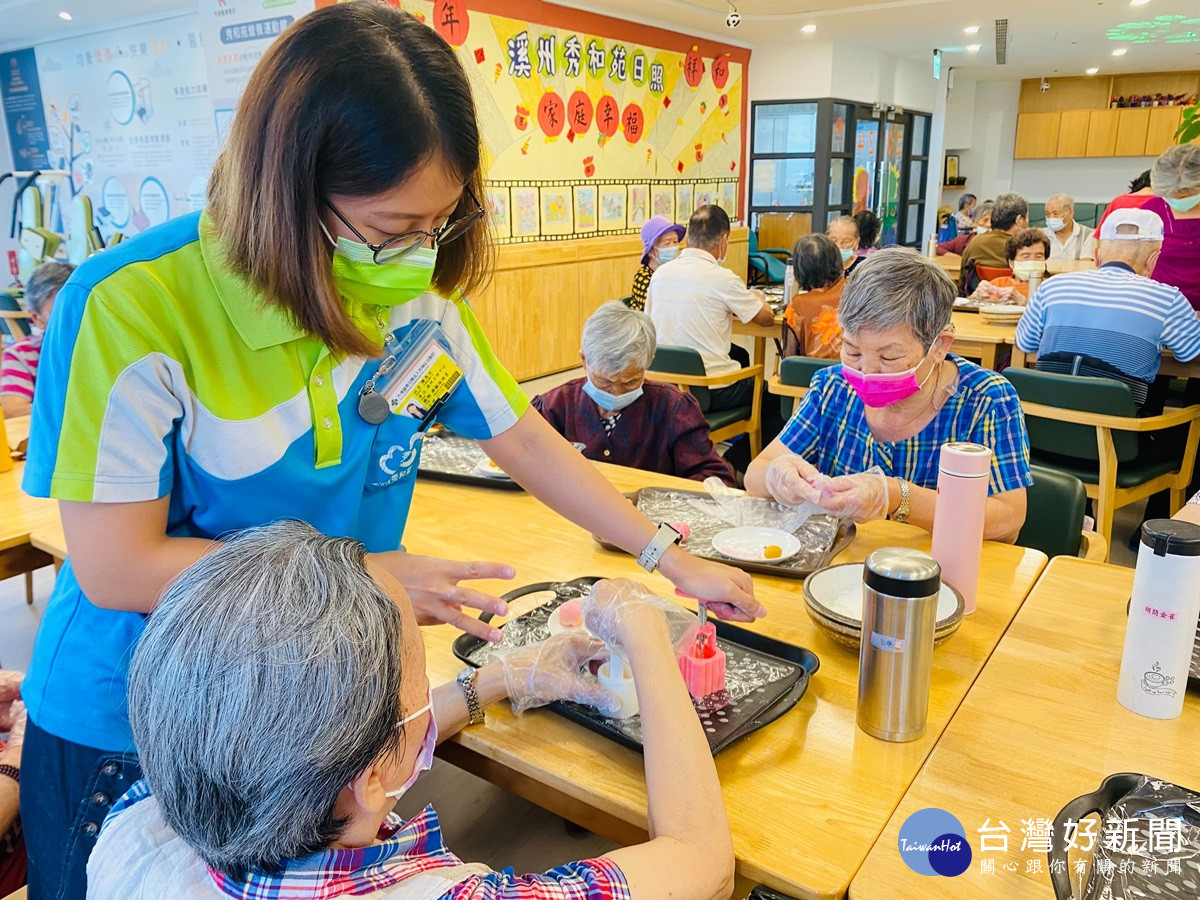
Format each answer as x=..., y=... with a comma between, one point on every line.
x=725, y=719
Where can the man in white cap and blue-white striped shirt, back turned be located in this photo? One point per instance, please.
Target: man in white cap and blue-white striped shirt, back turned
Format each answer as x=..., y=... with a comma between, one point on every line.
x=1114, y=321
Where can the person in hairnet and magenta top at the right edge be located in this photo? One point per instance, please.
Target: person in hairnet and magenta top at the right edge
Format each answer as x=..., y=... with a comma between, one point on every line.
x=1175, y=179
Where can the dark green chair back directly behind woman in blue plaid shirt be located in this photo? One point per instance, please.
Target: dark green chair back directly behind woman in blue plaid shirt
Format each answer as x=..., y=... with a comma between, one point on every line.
x=1054, y=517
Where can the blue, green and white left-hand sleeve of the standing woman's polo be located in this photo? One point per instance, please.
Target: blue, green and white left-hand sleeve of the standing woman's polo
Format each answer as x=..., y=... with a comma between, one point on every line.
x=105, y=406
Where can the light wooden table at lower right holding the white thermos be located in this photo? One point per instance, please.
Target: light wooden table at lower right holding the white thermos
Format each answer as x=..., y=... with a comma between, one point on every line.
x=1041, y=727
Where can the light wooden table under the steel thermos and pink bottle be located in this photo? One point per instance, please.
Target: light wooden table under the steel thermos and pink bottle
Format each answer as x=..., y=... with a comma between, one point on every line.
x=807, y=797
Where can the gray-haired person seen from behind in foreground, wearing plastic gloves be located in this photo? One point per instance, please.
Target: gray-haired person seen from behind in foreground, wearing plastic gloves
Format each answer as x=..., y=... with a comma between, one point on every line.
x=280, y=706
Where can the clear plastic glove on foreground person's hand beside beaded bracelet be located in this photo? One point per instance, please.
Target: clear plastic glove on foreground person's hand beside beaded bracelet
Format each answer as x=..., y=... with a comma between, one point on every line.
x=543, y=673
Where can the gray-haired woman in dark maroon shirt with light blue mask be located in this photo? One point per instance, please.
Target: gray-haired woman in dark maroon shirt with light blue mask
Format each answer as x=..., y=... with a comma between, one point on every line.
x=622, y=418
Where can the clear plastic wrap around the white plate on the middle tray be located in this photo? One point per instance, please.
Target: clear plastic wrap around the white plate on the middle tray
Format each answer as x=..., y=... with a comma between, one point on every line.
x=817, y=533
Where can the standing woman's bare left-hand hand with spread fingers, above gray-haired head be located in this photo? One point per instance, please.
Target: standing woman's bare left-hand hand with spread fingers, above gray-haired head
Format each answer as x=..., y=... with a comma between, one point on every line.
x=436, y=596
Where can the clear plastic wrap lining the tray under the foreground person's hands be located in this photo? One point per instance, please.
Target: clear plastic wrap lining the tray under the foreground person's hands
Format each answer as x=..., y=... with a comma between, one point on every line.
x=749, y=675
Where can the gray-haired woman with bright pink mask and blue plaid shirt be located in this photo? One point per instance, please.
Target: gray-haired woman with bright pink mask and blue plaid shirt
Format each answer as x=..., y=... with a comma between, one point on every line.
x=866, y=440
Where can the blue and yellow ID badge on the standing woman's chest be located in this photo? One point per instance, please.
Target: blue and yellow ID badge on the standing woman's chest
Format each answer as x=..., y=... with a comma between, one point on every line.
x=422, y=377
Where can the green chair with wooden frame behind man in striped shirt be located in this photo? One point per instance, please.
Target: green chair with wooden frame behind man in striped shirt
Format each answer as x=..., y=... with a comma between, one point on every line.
x=1087, y=428
